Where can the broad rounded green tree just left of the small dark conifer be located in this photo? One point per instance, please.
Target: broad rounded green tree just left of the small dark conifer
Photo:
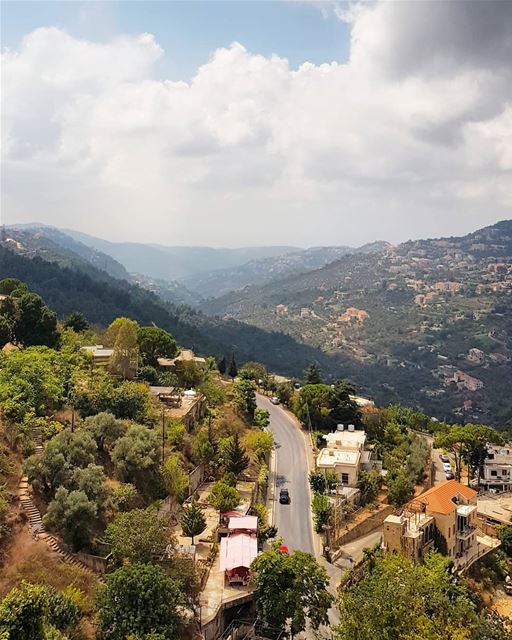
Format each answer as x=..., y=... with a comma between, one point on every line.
x=139, y=535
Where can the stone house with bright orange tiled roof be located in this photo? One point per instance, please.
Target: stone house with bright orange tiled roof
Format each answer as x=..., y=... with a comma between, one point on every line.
x=445, y=515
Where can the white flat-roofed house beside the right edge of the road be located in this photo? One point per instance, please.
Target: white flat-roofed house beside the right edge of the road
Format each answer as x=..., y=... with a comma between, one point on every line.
x=345, y=454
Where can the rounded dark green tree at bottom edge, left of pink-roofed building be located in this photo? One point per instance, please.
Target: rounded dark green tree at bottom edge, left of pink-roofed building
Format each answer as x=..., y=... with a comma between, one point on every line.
x=139, y=600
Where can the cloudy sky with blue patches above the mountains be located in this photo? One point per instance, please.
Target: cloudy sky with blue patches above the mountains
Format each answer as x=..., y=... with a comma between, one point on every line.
x=257, y=123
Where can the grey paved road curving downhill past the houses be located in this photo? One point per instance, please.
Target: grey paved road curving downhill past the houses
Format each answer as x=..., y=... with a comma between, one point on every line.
x=293, y=520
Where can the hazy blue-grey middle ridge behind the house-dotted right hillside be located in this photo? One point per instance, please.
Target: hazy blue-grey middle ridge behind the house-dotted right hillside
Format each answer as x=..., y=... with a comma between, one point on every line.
x=258, y=272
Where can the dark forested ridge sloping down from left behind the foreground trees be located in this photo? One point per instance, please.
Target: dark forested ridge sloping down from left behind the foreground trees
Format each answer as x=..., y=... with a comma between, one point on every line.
x=102, y=298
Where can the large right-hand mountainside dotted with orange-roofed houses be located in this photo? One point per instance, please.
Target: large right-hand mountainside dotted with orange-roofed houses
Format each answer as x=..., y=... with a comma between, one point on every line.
x=427, y=322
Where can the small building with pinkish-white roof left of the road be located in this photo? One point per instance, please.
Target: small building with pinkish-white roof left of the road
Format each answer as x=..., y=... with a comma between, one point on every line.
x=239, y=548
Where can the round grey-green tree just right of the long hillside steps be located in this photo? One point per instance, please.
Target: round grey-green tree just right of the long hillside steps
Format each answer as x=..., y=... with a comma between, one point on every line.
x=72, y=515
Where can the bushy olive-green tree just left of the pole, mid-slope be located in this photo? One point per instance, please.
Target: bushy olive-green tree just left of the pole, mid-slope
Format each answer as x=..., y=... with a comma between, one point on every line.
x=136, y=456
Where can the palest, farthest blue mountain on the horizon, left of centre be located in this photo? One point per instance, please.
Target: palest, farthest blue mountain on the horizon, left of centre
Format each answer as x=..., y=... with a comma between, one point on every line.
x=175, y=263
